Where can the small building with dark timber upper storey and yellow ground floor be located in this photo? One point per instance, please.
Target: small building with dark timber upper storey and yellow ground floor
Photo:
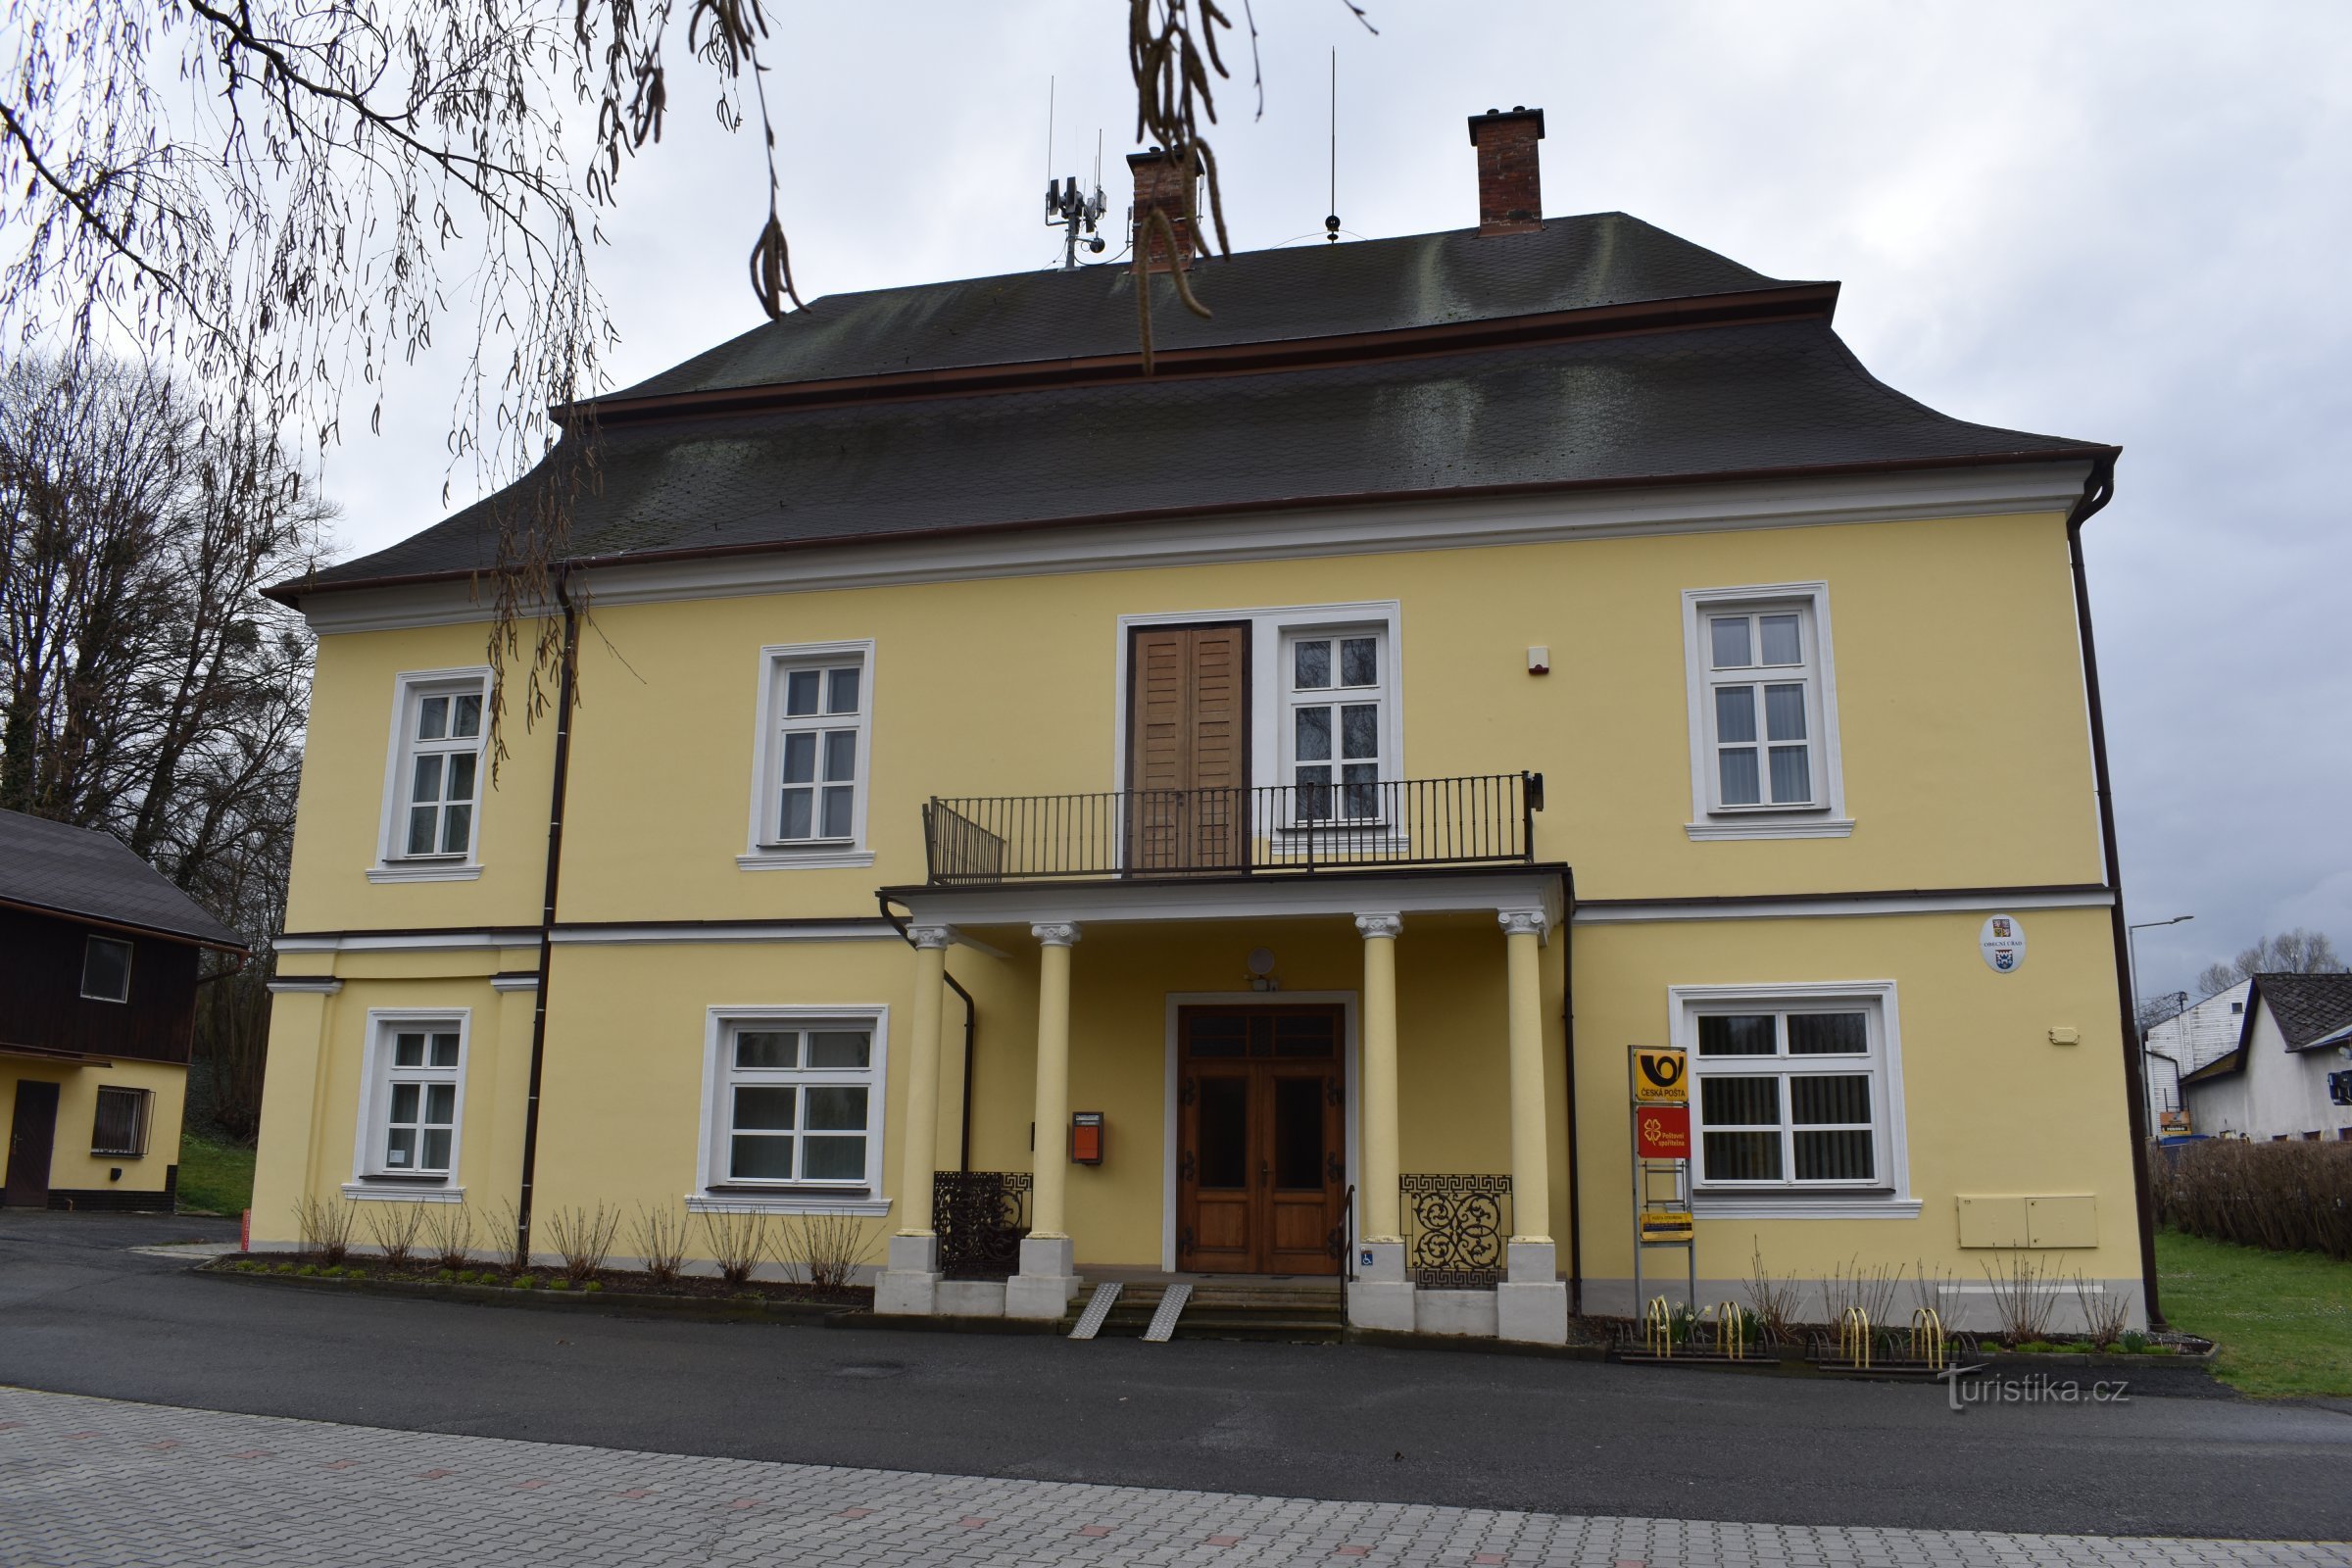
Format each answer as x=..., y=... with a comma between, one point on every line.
x=98, y=1012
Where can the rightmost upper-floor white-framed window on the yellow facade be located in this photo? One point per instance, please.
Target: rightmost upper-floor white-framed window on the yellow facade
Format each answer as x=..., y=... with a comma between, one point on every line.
x=1765, y=758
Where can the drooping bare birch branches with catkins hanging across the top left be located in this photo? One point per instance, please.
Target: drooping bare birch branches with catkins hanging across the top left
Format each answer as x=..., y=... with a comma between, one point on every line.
x=288, y=199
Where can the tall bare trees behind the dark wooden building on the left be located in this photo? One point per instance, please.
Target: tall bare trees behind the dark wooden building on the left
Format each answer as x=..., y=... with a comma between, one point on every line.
x=147, y=688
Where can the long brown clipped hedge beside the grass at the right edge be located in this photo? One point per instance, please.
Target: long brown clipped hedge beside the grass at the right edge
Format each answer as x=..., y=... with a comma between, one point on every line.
x=2278, y=1195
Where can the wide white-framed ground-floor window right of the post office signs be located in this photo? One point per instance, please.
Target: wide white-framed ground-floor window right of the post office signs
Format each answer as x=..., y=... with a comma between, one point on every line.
x=1796, y=1099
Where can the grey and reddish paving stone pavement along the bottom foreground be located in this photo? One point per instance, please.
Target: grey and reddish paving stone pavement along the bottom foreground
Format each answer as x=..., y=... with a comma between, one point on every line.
x=95, y=1482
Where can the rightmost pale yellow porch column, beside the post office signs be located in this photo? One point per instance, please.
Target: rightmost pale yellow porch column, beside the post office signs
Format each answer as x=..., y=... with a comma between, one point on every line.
x=1532, y=1304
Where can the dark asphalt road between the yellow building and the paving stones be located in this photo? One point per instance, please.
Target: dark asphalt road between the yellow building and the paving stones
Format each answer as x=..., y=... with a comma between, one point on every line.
x=83, y=1315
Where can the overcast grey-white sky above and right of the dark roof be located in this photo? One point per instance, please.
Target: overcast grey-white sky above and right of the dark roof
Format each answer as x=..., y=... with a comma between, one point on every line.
x=2123, y=222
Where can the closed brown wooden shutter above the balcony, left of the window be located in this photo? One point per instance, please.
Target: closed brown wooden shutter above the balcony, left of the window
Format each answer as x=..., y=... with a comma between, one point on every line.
x=1189, y=749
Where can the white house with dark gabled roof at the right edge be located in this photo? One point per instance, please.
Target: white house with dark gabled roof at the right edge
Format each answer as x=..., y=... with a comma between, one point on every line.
x=2292, y=1068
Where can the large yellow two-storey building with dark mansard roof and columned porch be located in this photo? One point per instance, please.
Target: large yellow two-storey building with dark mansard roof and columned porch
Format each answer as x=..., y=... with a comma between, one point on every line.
x=1238, y=819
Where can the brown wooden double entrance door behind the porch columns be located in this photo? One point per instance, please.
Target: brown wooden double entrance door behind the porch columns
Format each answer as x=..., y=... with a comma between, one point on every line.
x=1262, y=1139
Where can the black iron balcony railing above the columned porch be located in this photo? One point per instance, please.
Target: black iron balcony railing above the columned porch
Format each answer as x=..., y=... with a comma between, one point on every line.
x=1191, y=833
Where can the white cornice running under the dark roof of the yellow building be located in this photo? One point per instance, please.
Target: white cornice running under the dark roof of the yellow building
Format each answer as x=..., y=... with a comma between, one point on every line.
x=1259, y=537
